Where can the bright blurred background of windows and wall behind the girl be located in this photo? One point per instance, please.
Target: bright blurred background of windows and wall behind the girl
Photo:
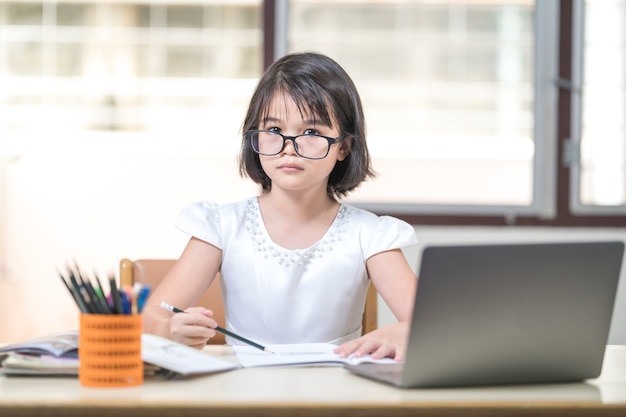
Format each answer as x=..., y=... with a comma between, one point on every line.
x=488, y=121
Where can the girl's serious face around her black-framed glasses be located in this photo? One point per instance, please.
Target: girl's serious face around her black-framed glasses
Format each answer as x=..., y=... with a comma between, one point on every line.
x=288, y=170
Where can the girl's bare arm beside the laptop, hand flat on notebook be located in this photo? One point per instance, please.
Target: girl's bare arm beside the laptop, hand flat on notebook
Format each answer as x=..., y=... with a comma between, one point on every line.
x=395, y=281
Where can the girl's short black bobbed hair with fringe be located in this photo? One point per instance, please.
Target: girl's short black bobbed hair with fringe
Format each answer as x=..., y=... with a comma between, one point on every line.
x=319, y=86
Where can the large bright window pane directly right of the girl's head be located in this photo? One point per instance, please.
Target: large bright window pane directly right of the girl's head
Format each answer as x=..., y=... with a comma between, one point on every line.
x=449, y=90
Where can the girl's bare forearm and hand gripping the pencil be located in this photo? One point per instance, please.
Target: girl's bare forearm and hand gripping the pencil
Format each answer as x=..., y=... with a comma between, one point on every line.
x=182, y=287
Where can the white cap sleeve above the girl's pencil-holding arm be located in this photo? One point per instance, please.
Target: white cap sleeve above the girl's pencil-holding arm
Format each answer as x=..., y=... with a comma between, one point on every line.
x=203, y=221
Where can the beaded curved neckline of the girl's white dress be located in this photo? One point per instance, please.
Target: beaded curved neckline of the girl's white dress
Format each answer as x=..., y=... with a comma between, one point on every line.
x=264, y=245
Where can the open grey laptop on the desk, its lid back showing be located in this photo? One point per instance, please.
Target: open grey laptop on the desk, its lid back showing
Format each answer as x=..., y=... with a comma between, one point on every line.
x=508, y=314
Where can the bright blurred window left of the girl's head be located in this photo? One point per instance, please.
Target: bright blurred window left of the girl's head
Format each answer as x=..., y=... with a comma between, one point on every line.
x=128, y=66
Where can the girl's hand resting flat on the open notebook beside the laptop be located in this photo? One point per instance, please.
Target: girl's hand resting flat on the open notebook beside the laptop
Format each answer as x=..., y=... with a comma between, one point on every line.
x=389, y=341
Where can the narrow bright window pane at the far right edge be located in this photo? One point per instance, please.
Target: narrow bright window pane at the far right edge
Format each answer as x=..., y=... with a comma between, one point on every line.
x=597, y=151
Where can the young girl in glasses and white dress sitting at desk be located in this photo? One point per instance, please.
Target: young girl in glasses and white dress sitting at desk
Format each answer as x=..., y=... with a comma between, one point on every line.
x=295, y=262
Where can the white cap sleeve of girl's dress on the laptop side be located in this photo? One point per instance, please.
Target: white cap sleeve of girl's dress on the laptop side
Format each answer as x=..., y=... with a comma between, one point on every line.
x=389, y=233
